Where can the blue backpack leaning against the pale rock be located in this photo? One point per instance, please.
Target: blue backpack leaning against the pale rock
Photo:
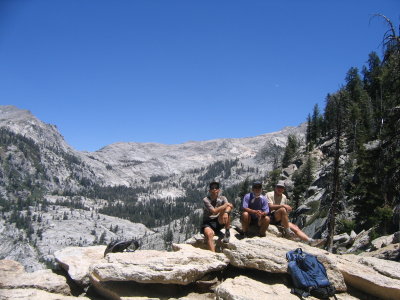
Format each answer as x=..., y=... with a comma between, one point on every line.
x=308, y=275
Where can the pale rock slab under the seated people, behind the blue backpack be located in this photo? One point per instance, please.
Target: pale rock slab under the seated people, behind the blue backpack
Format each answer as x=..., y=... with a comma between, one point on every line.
x=269, y=254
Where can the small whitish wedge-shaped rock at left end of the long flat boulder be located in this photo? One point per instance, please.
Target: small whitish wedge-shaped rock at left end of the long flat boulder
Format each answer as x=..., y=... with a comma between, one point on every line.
x=77, y=260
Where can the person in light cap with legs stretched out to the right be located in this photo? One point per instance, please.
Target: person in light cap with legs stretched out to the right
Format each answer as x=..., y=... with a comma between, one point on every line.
x=279, y=215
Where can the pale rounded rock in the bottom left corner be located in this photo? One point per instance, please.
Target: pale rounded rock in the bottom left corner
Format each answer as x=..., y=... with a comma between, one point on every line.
x=13, y=276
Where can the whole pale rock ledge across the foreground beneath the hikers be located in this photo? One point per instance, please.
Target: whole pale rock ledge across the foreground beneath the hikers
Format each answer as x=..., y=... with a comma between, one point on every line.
x=250, y=268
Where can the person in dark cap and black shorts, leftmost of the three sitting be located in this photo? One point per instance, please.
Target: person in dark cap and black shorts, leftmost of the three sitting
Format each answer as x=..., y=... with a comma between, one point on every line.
x=215, y=216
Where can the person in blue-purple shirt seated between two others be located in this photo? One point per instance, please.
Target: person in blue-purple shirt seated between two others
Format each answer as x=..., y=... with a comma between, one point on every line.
x=255, y=210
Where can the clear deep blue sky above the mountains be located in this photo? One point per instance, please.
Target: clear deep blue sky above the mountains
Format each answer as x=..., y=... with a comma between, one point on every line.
x=173, y=71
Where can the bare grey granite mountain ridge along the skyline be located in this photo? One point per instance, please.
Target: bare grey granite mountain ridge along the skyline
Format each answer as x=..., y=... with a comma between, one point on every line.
x=131, y=164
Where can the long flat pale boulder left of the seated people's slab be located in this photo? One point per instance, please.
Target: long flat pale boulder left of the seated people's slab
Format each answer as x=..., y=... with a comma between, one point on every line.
x=150, y=266
